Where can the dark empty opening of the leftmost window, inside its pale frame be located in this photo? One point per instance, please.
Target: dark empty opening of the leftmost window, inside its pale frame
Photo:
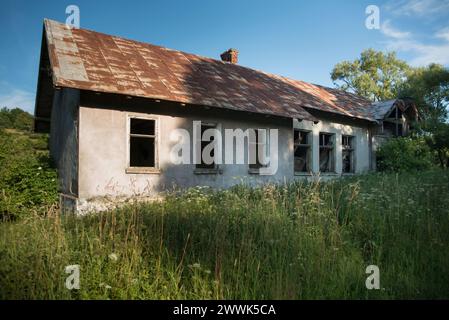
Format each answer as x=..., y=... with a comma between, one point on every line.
x=142, y=143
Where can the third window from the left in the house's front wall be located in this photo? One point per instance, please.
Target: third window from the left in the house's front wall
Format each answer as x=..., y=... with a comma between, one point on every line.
x=258, y=149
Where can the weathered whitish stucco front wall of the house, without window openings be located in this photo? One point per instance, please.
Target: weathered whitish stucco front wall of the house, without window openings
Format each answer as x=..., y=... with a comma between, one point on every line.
x=103, y=140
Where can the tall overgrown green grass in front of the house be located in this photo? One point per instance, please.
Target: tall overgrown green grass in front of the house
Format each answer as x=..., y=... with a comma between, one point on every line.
x=292, y=241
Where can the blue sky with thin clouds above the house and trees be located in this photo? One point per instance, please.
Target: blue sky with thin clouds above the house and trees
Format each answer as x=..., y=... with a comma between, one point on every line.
x=299, y=39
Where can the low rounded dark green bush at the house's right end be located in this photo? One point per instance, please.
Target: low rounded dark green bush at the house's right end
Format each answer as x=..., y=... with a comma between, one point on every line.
x=405, y=154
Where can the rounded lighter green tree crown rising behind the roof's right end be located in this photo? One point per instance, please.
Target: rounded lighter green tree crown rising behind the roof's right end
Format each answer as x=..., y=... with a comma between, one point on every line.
x=375, y=75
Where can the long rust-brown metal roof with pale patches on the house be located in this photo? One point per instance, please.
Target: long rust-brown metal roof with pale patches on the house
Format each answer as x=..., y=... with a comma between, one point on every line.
x=98, y=62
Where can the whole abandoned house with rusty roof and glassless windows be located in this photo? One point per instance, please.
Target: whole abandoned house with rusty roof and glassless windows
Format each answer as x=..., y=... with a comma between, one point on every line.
x=110, y=105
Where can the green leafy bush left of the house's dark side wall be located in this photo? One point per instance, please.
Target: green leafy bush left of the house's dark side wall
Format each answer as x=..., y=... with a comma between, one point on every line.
x=28, y=183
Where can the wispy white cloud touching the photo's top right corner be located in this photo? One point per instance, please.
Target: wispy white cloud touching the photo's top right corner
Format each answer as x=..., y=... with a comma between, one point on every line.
x=418, y=7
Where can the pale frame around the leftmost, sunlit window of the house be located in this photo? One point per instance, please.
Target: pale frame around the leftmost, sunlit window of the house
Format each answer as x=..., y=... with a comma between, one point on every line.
x=144, y=170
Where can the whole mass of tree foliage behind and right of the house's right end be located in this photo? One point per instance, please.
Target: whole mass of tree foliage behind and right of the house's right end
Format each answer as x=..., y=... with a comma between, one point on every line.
x=382, y=76
